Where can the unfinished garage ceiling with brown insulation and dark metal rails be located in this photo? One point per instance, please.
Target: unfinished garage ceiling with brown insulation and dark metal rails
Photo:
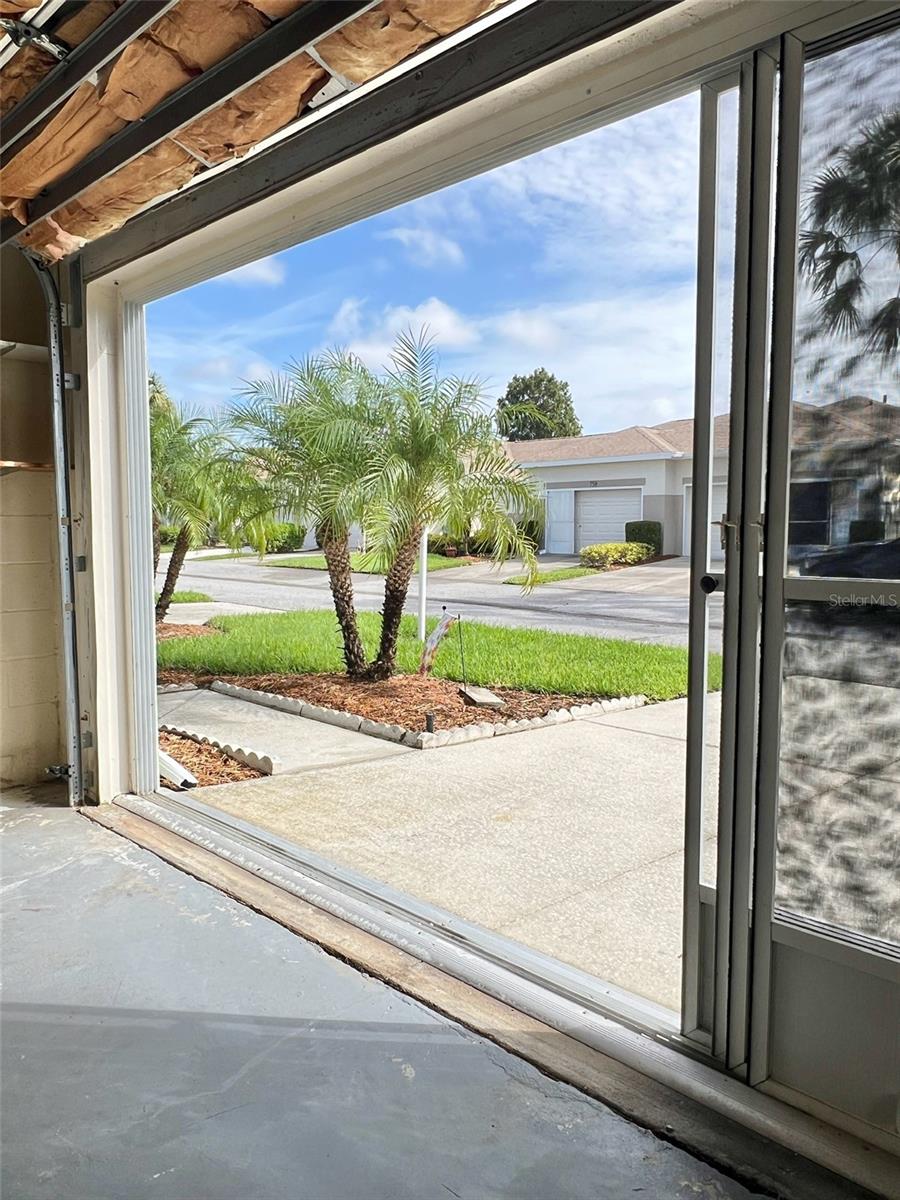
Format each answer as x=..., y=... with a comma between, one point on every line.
x=55, y=179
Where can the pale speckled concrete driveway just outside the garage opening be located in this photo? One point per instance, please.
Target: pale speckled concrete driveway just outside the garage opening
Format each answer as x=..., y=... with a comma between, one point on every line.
x=568, y=839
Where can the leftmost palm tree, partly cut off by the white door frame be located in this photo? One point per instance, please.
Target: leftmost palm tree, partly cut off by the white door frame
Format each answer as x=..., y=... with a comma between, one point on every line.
x=184, y=453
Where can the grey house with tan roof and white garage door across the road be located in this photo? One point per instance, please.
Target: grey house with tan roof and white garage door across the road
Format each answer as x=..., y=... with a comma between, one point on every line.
x=845, y=469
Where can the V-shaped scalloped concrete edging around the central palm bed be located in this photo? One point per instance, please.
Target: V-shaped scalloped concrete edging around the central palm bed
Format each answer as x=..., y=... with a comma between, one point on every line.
x=425, y=741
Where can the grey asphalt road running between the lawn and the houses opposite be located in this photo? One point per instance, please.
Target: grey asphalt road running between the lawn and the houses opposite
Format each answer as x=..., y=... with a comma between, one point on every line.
x=578, y=607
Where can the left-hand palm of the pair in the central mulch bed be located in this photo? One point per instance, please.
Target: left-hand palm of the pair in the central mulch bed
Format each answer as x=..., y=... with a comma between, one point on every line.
x=291, y=465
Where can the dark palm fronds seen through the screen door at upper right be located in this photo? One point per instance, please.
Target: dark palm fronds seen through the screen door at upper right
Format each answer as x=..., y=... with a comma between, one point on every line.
x=854, y=214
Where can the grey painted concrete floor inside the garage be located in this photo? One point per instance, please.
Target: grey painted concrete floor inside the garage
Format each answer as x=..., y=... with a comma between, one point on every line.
x=161, y=1041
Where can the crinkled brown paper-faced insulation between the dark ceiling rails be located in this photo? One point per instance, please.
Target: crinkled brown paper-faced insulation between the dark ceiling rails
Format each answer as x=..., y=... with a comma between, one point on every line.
x=184, y=43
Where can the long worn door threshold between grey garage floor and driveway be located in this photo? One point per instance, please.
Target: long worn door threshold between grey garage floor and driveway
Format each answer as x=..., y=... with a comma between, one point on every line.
x=761, y=1142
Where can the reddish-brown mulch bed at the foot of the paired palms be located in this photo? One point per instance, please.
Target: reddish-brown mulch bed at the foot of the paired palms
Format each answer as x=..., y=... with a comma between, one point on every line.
x=404, y=700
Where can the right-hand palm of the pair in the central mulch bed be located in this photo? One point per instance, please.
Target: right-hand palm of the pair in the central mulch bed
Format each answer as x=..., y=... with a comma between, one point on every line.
x=437, y=463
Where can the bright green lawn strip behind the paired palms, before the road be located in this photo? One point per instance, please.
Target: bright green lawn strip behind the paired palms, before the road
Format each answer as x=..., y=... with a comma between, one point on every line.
x=532, y=659
